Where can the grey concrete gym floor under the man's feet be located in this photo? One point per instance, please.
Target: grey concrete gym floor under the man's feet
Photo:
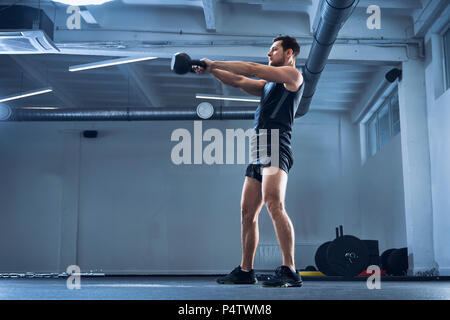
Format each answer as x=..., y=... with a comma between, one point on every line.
x=205, y=288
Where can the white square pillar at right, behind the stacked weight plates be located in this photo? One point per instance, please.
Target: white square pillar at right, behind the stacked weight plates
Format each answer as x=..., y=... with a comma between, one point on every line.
x=416, y=168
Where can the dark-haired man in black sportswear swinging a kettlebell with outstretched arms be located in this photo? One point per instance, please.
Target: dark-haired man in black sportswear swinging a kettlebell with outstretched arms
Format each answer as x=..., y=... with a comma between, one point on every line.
x=280, y=88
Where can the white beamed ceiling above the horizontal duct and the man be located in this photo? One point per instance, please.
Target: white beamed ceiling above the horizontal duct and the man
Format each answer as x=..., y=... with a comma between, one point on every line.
x=226, y=30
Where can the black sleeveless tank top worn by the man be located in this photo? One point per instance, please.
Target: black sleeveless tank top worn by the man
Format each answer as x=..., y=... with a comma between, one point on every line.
x=277, y=108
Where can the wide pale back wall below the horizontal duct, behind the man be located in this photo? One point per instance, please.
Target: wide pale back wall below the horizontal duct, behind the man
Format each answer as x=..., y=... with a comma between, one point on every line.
x=118, y=203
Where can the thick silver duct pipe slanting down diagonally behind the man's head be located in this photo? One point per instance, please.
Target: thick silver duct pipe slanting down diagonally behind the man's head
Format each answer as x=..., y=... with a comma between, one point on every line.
x=334, y=13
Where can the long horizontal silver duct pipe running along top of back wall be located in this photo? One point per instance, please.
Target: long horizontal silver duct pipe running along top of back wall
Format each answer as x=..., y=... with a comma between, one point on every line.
x=125, y=114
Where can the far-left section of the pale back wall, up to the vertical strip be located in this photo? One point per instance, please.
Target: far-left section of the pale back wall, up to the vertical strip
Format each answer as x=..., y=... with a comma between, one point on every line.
x=30, y=199
